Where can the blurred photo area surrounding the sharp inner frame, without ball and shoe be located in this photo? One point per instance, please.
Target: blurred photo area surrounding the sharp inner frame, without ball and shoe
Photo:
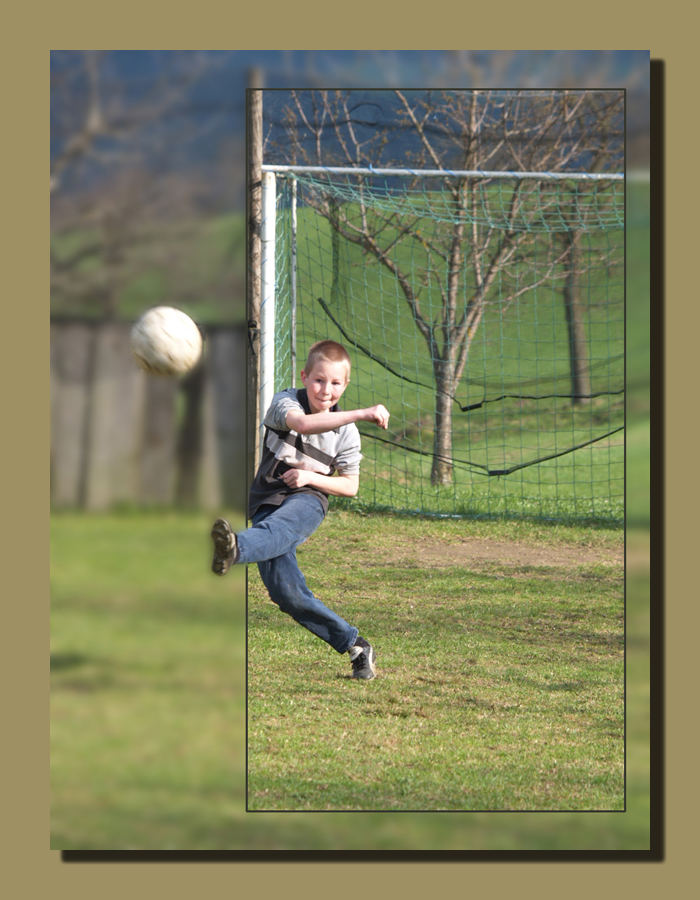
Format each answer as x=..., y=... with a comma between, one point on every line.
x=147, y=657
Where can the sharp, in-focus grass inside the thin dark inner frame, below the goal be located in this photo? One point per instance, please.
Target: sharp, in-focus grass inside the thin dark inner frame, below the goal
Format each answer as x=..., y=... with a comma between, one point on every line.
x=501, y=682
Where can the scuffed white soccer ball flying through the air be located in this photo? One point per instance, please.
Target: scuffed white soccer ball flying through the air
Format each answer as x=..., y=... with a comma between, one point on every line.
x=165, y=341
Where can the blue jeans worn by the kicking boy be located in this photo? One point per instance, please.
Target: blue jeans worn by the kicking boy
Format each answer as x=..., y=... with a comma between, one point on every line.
x=271, y=542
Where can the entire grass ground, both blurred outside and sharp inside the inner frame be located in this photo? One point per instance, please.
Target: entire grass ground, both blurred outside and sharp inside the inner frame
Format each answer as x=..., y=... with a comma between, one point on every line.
x=478, y=661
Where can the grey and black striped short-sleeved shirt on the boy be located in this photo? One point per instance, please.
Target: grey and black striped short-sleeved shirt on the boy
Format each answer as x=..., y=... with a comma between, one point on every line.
x=325, y=453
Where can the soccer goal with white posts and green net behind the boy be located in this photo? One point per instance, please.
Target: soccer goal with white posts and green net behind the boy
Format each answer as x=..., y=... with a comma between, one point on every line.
x=484, y=309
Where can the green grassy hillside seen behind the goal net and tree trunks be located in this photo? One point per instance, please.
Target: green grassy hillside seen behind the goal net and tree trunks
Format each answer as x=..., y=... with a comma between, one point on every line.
x=514, y=388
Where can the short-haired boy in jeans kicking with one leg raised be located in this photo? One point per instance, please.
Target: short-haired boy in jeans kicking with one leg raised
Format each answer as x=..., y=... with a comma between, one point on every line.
x=311, y=450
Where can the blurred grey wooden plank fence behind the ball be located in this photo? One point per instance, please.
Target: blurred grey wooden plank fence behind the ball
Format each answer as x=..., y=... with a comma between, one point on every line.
x=119, y=436
